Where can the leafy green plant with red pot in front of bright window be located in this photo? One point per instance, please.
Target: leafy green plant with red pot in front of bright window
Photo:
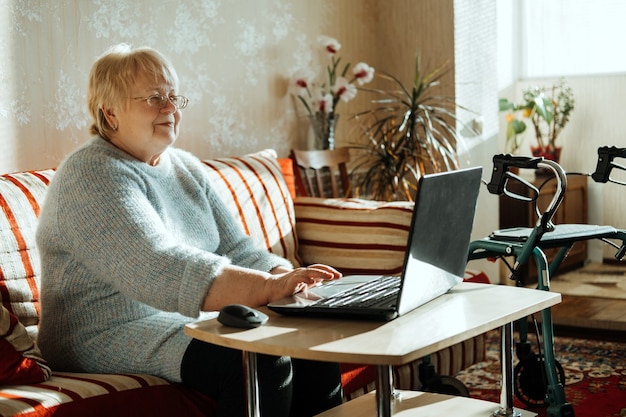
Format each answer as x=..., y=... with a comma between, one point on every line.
x=548, y=109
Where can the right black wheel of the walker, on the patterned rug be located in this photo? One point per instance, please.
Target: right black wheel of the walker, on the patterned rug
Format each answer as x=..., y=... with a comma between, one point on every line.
x=529, y=380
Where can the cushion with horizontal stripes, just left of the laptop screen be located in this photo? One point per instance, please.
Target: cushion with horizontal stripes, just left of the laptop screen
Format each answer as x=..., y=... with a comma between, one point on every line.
x=355, y=236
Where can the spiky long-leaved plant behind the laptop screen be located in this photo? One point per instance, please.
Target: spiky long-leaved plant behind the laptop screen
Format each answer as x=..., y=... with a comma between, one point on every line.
x=410, y=132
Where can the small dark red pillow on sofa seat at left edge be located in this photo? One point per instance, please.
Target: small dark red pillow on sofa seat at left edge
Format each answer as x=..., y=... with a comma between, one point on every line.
x=20, y=358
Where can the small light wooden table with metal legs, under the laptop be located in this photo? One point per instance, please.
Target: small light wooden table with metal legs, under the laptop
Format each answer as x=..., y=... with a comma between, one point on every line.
x=464, y=312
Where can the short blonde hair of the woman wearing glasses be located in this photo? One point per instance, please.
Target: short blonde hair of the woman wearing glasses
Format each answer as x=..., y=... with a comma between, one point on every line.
x=115, y=73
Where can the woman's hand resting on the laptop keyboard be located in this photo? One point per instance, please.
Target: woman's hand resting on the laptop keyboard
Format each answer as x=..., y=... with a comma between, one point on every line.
x=284, y=284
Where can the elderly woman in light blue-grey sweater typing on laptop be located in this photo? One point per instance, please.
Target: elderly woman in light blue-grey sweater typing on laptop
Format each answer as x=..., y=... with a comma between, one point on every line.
x=135, y=244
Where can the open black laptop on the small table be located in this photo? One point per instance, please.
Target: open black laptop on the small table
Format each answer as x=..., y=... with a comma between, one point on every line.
x=434, y=261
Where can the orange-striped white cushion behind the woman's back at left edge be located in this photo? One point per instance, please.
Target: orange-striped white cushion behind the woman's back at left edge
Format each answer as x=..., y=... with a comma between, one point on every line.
x=21, y=196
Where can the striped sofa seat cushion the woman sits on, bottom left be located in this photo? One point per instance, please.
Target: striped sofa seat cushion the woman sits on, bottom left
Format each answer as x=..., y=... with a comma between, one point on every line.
x=78, y=394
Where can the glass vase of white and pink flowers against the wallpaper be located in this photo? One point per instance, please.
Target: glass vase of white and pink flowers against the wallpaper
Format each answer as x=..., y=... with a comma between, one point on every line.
x=320, y=99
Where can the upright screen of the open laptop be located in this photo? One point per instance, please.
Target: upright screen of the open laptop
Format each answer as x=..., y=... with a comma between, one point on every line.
x=440, y=235
